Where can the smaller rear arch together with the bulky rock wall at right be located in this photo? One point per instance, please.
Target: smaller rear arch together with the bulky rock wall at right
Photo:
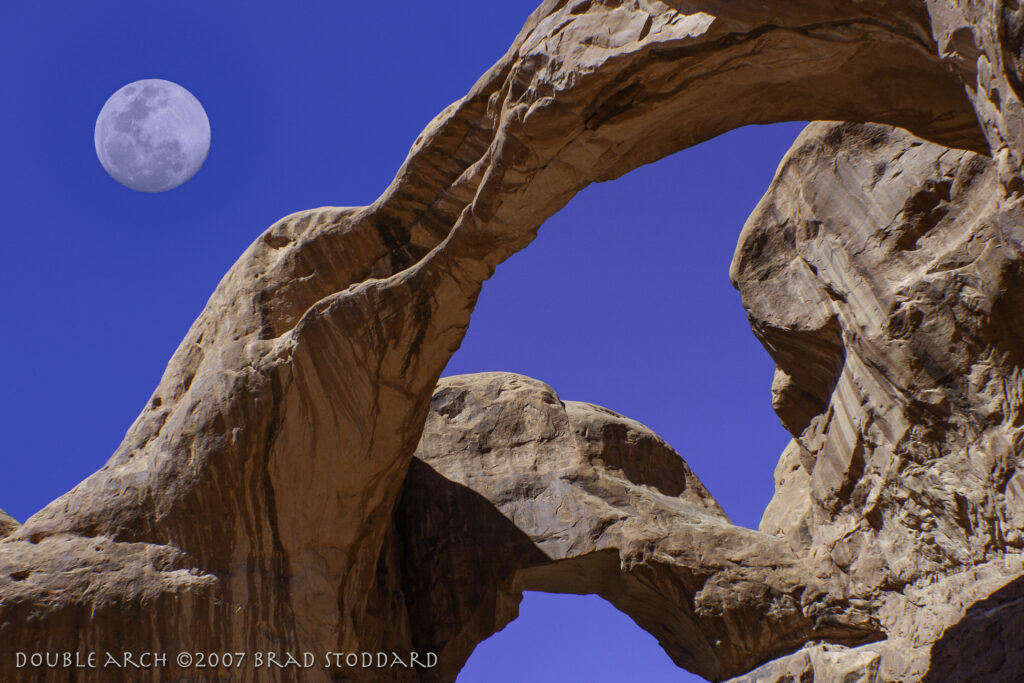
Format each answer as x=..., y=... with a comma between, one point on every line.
x=884, y=286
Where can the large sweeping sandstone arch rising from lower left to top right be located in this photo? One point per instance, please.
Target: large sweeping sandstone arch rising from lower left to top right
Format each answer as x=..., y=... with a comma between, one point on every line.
x=252, y=498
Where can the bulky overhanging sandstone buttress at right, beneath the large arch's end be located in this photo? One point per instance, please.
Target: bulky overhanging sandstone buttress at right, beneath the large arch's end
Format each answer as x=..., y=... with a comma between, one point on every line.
x=885, y=275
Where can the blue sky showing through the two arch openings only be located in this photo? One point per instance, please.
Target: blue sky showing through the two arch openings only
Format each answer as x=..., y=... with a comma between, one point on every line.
x=624, y=301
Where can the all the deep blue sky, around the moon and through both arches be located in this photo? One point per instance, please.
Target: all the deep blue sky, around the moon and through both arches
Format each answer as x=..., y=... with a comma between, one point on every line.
x=624, y=300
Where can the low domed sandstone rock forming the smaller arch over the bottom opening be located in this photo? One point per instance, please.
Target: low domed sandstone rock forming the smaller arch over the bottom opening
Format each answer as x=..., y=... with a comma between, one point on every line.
x=514, y=490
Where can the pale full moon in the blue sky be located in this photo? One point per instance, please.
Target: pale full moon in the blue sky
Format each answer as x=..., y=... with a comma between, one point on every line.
x=152, y=136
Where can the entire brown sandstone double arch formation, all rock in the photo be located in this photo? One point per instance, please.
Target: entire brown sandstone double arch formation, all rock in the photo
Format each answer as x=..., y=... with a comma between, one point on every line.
x=268, y=498
